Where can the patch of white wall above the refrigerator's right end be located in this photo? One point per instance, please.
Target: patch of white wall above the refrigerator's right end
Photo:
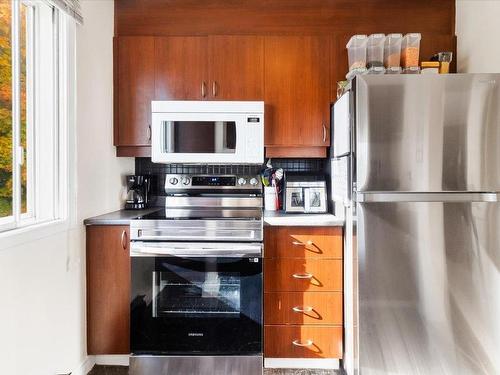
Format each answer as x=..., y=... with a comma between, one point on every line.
x=477, y=30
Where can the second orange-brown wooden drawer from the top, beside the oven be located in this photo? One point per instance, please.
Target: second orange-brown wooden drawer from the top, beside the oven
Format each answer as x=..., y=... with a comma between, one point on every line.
x=300, y=275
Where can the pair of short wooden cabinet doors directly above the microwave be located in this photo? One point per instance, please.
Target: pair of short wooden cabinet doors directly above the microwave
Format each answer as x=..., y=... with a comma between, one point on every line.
x=209, y=68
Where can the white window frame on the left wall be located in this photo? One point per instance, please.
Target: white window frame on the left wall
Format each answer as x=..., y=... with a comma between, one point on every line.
x=49, y=109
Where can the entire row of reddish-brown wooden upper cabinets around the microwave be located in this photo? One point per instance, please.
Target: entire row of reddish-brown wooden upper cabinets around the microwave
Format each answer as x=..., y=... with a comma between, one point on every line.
x=290, y=73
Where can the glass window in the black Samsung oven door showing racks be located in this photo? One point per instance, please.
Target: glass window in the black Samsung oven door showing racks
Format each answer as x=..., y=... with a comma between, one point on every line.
x=189, y=293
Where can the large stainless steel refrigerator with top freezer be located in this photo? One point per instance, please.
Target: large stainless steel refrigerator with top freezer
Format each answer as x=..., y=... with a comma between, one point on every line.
x=416, y=172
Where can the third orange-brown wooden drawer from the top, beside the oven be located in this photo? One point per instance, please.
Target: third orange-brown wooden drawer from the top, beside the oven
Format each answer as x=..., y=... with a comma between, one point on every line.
x=303, y=308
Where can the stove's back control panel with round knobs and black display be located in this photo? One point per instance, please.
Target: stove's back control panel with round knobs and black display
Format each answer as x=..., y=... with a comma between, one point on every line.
x=207, y=182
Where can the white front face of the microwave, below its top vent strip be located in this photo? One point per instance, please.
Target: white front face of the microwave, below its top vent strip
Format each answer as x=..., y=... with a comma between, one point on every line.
x=207, y=138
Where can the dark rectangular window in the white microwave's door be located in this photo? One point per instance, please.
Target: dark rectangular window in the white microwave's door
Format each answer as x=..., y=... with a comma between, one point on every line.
x=208, y=137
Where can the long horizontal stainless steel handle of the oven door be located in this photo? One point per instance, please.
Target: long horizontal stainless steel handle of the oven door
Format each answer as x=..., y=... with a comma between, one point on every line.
x=236, y=251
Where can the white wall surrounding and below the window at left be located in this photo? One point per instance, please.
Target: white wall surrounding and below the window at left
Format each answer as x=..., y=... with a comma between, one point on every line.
x=42, y=282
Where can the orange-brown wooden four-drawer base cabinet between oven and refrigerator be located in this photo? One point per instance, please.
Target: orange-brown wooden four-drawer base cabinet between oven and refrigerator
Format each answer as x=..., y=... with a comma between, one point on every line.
x=303, y=292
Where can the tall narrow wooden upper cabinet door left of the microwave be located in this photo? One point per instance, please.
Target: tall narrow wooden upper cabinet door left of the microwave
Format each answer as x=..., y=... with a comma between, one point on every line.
x=134, y=90
